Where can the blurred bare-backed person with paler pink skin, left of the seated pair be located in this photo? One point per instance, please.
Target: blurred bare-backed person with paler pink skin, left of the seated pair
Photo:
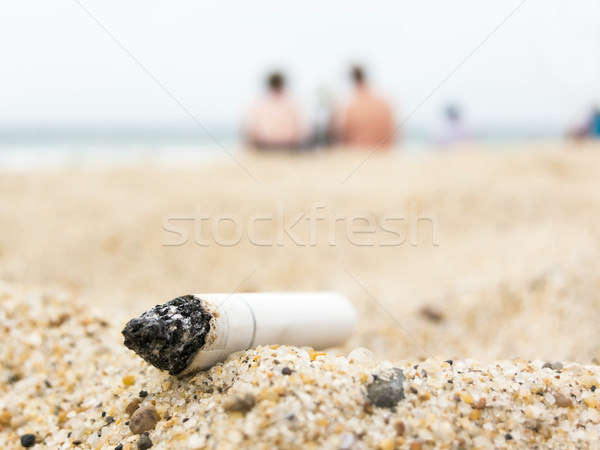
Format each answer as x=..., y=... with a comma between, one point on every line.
x=274, y=123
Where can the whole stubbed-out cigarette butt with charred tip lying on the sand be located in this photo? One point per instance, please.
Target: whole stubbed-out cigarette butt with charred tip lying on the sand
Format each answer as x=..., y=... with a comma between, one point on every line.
x=194, y=332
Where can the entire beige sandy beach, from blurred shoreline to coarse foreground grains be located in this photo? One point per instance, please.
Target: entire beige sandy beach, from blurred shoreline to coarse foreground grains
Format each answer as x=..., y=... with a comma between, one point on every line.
x=507, y=283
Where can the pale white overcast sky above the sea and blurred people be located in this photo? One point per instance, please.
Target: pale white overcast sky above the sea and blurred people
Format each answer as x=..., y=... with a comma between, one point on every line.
x=58, y=67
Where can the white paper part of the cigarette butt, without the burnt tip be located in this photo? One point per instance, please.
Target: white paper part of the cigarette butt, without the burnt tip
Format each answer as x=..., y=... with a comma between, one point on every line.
x=243, y=321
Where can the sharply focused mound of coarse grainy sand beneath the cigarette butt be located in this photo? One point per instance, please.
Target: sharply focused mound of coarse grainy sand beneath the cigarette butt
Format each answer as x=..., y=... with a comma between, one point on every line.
x=70, y=382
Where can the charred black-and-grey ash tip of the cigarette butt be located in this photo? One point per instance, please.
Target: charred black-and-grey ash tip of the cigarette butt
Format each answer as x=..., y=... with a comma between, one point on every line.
x=169, y=335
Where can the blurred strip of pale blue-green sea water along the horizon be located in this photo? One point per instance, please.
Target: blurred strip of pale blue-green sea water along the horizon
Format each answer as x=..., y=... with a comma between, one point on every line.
x=58, y=149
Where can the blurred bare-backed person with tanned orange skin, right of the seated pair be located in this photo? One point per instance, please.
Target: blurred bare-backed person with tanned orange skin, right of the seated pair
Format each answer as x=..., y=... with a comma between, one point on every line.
x=367, y=121
